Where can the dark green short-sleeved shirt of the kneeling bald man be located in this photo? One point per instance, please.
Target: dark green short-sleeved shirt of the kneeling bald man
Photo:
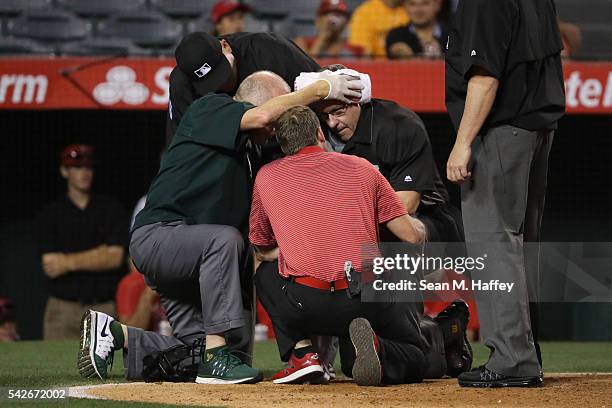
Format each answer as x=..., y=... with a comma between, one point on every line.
x=204, y=175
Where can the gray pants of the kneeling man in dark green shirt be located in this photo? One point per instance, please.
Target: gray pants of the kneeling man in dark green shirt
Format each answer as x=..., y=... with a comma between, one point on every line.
x=196, y=271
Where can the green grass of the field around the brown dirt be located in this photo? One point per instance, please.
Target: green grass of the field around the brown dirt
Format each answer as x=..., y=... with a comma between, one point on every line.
x=53, y=364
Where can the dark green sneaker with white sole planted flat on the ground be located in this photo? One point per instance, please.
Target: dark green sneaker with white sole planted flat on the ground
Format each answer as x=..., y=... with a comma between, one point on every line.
x=221, y=366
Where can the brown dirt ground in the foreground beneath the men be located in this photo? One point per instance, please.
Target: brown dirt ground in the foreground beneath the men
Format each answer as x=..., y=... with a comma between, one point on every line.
x=568, y=390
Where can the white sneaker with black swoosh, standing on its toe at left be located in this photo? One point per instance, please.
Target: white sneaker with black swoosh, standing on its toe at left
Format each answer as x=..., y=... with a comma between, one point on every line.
x=97, y=345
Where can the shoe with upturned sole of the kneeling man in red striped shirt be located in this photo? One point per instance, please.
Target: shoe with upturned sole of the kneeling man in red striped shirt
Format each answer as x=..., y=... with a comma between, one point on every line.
x=367, y=369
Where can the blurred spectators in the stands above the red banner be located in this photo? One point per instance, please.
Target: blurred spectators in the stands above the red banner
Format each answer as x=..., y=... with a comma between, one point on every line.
x=394, y=29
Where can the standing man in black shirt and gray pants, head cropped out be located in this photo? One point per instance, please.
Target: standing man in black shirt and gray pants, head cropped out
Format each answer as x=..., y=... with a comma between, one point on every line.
x=505, y=94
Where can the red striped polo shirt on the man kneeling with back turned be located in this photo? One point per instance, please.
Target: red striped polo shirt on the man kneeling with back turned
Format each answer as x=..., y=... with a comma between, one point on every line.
x=320, y=208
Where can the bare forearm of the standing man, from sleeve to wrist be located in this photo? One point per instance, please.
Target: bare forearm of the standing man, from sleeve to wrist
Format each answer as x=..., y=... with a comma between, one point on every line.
x=478, y=103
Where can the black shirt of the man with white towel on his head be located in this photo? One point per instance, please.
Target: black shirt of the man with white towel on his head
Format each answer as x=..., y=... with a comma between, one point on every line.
x=394, y=139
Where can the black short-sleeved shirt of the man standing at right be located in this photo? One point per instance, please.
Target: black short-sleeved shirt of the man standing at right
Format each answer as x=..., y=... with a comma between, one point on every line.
x=518, y=42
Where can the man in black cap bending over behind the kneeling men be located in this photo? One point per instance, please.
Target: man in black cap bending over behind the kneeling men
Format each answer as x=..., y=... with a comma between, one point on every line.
x=209, y=64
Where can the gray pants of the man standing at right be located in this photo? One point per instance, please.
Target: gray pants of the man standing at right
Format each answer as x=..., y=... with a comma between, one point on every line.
x=502, y=205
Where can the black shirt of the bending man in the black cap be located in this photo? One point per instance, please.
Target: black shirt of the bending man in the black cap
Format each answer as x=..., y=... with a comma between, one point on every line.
x=253, y=52
